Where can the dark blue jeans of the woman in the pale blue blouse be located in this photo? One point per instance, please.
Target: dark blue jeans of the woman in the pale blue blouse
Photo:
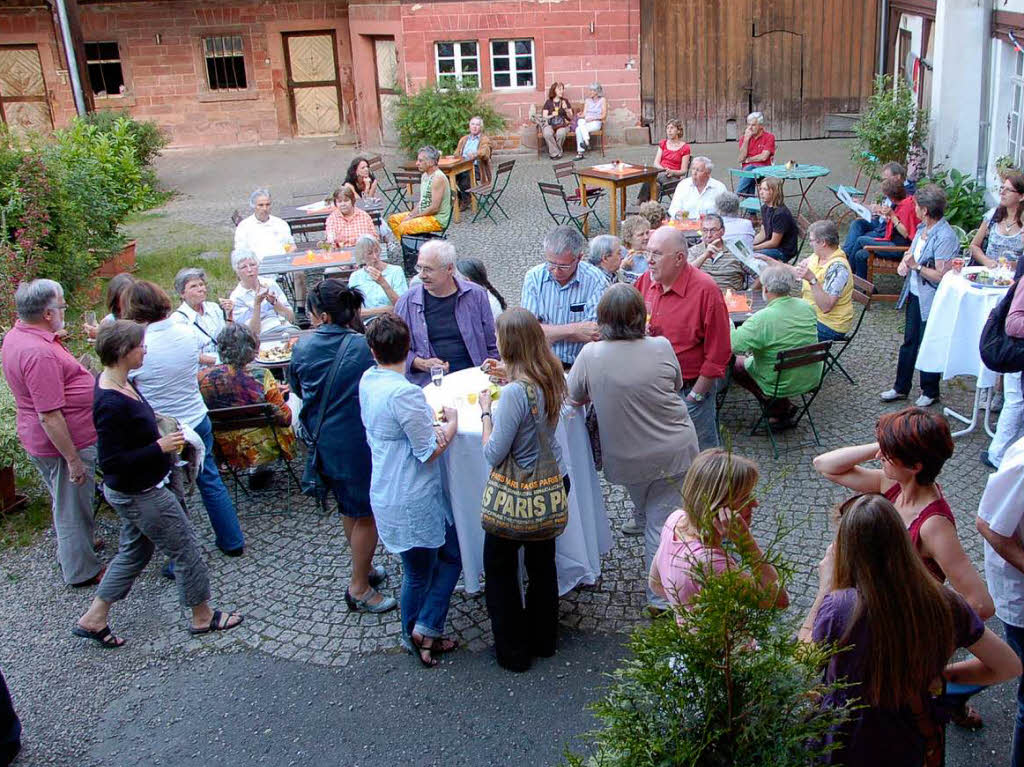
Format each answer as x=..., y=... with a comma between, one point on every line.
x=429, y=579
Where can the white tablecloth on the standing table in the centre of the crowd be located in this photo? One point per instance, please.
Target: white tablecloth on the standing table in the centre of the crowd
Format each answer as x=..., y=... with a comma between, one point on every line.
x=587, y=536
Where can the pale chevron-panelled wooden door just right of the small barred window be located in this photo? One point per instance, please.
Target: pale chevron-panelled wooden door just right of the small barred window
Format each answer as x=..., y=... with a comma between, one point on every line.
x=314, y=86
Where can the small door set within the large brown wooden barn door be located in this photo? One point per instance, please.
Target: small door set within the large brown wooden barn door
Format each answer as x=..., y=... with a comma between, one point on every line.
x=778, y=82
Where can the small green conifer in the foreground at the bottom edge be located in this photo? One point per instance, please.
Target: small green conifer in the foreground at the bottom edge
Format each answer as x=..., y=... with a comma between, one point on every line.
x=728, y=686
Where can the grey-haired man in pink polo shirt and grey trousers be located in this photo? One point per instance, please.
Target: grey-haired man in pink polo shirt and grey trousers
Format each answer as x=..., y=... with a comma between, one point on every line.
x=54, y=394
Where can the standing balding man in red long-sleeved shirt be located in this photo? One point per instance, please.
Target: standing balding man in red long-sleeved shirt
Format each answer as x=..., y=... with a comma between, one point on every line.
x=687, y=307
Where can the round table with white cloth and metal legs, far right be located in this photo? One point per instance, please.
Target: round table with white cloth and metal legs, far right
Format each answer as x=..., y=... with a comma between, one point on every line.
x=952, y=338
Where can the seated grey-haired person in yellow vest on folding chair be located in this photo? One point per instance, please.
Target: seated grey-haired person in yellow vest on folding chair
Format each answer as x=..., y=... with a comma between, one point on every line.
x=828, y=282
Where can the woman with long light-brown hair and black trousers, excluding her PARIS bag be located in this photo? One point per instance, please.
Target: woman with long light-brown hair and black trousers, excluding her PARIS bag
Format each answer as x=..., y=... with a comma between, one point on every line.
x=523, y=633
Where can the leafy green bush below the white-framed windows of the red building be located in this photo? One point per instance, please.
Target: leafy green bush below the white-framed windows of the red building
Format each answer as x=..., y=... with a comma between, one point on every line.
x=440, y=117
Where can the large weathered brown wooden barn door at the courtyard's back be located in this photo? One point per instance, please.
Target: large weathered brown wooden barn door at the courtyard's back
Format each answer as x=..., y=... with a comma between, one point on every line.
x=710, y=63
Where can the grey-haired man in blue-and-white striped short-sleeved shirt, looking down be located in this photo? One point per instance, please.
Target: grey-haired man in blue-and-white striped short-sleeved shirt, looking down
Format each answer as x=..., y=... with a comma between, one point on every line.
x=563, y=293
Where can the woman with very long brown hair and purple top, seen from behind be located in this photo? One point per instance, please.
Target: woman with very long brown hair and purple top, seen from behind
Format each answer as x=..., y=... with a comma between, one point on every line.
x=898, y=628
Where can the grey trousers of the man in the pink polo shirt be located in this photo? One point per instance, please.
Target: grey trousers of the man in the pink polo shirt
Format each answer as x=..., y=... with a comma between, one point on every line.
x=73, y=517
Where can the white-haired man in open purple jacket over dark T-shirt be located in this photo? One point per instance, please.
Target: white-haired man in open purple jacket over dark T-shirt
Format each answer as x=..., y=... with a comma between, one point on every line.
x=450, y=319
